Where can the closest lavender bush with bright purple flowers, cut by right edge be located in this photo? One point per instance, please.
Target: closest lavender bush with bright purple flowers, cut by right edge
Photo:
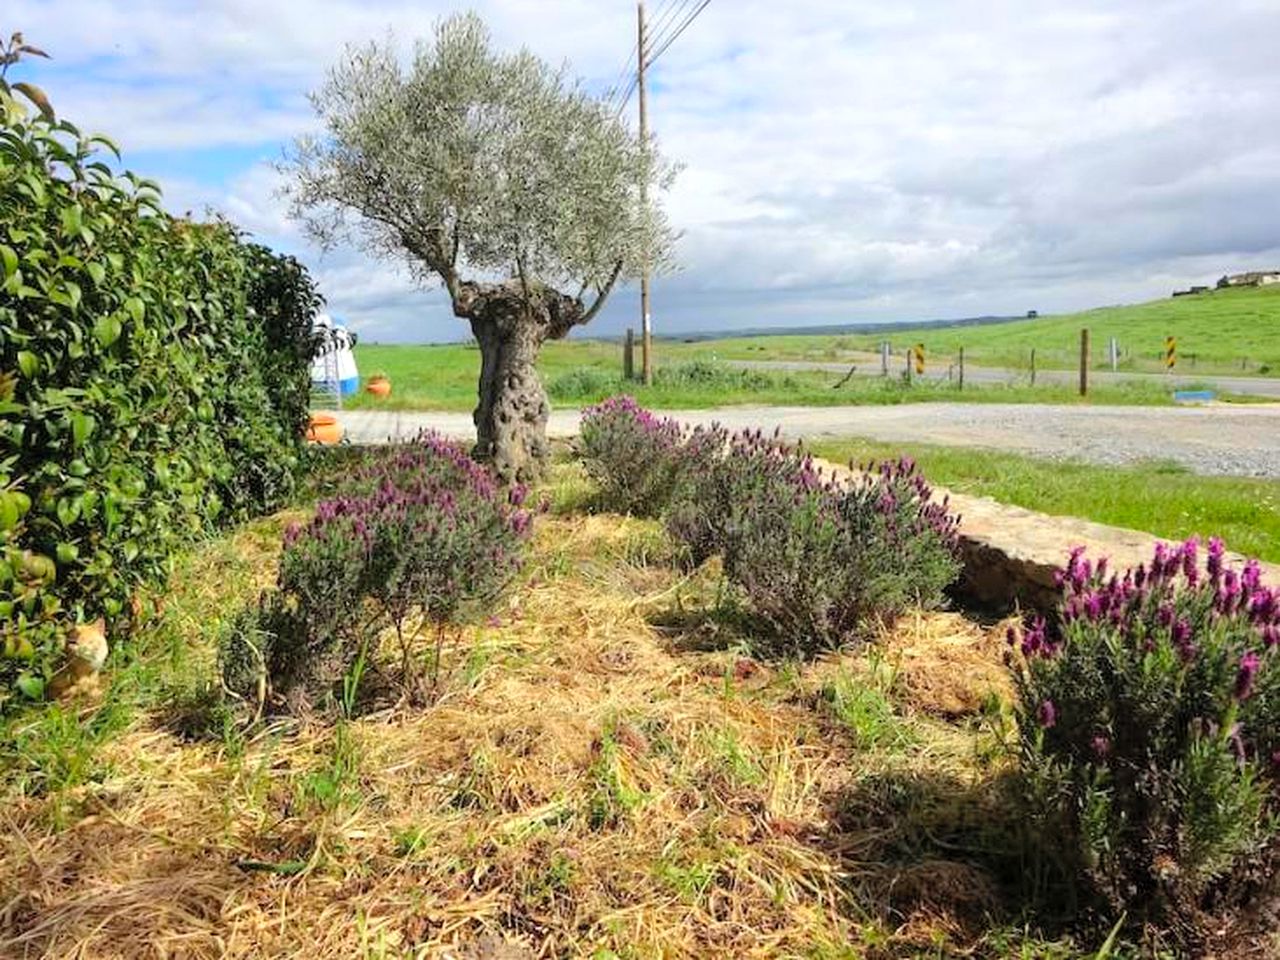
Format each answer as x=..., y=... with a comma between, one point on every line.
x=1150, y=725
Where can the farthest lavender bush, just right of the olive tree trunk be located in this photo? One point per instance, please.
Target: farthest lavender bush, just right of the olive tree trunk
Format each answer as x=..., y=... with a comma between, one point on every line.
x=632, y=455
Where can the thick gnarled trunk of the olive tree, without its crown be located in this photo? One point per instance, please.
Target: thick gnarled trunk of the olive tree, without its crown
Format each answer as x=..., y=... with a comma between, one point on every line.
x=510, y=327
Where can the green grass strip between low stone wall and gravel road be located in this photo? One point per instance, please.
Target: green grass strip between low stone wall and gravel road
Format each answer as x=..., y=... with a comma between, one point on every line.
x=1160, y=499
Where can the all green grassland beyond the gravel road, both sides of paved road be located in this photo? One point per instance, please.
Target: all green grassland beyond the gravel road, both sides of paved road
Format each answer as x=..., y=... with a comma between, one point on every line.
x=1217, y=331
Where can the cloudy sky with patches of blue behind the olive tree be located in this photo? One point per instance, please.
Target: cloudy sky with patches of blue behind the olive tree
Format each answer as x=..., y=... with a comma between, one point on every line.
x=844, y=162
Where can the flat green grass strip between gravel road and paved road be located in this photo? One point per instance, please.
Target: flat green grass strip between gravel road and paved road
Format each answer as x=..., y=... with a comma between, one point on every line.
x=578, y=373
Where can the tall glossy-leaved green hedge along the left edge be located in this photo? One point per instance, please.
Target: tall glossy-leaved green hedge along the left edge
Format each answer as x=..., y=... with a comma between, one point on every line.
x=154, y=380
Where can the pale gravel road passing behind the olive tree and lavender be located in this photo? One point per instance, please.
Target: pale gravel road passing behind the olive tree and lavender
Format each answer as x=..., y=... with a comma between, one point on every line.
x=1233, y=441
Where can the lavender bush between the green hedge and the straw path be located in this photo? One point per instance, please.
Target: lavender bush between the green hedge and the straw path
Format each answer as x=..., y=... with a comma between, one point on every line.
x=422, y=531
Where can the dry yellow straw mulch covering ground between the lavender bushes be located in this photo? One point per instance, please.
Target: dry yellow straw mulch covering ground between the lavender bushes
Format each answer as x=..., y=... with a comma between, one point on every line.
x=586, y=784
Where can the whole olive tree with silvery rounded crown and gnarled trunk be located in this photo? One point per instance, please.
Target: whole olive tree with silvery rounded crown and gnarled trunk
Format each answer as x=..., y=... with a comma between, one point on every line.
x=497, y=176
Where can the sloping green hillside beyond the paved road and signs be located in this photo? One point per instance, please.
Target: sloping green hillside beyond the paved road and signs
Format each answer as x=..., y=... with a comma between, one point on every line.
x=1223, y=332
